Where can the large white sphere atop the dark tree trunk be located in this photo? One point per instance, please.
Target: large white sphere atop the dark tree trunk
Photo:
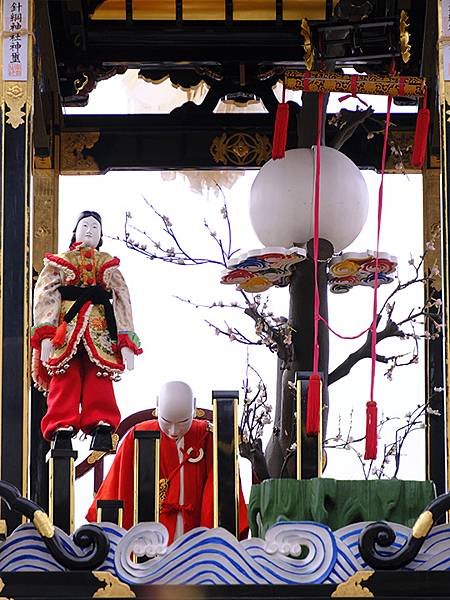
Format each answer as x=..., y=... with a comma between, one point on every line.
x=282, y=199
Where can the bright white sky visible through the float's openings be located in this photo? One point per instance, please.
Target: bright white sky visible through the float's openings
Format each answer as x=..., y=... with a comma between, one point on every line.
x=179, y=345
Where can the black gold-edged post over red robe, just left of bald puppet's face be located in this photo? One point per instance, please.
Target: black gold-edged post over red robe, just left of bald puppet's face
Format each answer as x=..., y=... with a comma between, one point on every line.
x=146, y=476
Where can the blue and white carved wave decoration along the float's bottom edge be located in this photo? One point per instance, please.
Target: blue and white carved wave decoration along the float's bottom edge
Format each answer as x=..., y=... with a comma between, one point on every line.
x=291, y=553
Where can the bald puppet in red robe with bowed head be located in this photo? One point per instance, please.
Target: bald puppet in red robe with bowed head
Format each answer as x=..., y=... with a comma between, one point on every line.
x=186, y=463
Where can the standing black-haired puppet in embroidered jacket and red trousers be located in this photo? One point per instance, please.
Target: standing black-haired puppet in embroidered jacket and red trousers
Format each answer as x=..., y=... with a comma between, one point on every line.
x=81, y=342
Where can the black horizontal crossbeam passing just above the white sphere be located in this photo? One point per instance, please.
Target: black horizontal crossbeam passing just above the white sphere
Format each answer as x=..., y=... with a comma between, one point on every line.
x=155, y=142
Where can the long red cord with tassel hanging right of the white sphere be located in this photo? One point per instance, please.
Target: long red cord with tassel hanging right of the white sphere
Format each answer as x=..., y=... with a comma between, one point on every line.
x=371, y=406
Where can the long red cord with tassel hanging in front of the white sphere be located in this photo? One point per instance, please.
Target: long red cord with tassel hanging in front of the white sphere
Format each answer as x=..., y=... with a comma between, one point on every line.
x=313, y=406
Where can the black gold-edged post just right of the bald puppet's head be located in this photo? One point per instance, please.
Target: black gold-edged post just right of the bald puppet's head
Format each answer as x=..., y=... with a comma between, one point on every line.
x=226, y=472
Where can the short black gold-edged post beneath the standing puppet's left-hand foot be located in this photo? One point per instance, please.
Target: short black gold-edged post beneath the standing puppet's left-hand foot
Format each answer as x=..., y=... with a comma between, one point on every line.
x=61, y=471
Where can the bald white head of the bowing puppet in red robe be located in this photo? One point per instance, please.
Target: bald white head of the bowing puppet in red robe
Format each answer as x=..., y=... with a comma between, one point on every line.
x=176, y=408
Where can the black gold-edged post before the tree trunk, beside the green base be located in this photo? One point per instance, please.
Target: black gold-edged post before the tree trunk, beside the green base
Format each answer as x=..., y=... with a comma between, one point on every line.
x=309, y=447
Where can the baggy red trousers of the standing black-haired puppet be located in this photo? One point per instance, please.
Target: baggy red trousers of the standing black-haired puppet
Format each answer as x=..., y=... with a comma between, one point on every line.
x=78, y=397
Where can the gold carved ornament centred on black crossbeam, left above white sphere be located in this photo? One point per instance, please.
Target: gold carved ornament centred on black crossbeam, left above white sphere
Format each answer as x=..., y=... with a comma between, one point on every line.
x=241, y=149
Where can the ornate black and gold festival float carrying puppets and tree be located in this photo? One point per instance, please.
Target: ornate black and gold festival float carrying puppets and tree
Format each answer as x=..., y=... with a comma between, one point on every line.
x=311, y=536
